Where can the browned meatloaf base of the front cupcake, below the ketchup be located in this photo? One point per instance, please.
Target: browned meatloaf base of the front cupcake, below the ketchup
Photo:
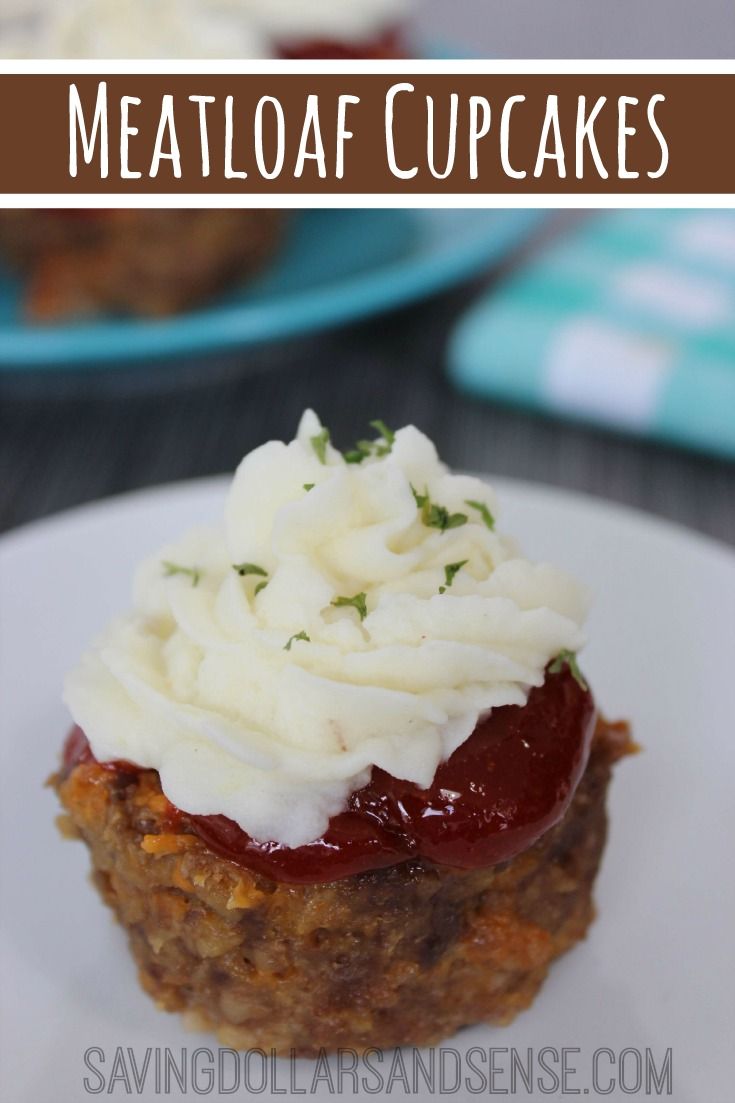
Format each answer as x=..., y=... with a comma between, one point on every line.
x=406, y=955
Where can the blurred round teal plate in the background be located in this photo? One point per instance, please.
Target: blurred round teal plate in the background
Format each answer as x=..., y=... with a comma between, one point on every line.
x=334, y=267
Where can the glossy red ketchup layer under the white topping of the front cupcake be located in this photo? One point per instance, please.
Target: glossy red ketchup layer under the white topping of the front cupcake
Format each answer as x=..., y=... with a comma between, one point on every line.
x=506, y=786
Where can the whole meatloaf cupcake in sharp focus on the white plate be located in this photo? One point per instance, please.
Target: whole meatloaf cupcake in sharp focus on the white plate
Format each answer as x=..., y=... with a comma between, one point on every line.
x=342, y=778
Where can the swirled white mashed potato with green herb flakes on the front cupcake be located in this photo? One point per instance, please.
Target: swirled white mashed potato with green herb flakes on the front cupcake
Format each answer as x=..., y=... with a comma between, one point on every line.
x=354, y=611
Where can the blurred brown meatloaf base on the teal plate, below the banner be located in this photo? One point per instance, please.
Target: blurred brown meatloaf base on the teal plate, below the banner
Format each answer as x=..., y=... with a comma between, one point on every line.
x=150, y=263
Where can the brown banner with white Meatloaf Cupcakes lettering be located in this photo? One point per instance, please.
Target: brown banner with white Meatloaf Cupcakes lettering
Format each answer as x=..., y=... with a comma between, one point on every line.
x=473, y=134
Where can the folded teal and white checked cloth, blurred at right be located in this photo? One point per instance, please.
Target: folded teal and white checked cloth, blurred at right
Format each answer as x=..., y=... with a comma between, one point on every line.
x=630, y=322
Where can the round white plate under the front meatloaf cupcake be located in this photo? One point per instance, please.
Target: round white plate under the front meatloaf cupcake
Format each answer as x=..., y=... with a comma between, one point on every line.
x=657, y=971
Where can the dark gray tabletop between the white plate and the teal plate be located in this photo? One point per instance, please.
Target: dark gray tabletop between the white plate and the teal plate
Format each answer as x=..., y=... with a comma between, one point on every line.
x=62, y=444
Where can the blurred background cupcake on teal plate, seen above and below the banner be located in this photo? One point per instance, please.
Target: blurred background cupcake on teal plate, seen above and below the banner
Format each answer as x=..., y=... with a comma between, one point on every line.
x=157, y=263
